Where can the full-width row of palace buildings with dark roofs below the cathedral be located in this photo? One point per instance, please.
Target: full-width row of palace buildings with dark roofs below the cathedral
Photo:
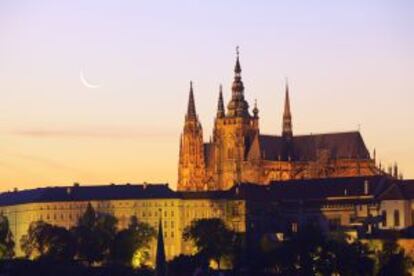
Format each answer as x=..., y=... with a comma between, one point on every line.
x=253, y=209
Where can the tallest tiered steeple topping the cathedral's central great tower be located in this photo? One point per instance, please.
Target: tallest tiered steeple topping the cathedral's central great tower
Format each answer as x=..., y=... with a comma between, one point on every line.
x=237, y=107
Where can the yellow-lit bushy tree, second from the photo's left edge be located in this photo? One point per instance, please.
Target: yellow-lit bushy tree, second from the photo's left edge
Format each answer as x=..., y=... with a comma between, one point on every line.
x=44, y=240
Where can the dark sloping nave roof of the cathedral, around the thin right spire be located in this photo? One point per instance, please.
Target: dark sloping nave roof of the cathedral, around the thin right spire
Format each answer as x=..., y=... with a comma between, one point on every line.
x=305, y=147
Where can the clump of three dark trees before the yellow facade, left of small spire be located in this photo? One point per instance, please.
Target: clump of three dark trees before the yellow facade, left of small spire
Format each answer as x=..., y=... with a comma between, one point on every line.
x=94, y=240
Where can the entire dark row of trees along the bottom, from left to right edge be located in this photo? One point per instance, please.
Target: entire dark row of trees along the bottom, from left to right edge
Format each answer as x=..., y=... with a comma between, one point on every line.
x=96, y=240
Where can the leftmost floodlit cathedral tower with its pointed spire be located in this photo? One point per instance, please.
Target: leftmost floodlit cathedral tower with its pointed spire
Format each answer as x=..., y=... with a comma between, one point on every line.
x=191, y=171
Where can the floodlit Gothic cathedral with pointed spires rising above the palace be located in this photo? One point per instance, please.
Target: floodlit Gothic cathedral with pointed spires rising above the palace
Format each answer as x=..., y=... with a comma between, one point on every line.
x=238, y=152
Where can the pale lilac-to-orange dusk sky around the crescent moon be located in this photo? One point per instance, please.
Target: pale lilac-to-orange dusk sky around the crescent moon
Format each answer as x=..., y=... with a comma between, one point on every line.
x=350, y=66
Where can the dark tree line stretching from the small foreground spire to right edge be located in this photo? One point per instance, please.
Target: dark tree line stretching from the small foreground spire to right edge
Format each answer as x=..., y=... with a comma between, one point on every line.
x=308, y=252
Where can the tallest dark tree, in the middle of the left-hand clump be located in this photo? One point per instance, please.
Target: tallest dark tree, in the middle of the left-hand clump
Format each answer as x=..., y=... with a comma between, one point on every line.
x=94, y=235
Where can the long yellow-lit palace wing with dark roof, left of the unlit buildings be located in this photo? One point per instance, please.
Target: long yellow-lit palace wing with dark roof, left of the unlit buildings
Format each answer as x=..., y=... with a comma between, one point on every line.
x=63, y=205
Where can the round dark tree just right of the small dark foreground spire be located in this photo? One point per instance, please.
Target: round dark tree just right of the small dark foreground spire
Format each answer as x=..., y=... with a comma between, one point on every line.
x=212, y=238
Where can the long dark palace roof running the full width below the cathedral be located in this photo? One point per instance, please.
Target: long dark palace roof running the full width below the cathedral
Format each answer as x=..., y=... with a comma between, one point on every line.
x=307, y=190
